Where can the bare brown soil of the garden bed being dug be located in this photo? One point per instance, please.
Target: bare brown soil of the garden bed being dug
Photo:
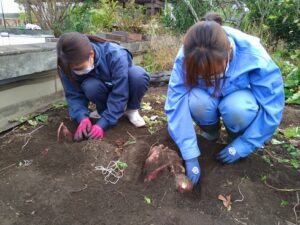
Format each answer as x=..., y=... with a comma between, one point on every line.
x=62, y=187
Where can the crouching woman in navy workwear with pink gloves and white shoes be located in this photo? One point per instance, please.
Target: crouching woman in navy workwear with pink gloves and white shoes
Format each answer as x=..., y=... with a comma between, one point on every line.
x=95, y=70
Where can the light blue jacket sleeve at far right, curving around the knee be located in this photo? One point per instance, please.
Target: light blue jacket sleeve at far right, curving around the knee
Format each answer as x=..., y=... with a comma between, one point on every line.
x=267, y=86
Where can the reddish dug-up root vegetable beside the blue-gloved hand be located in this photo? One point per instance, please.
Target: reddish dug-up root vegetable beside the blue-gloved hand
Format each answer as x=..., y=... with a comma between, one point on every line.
x=161, y=158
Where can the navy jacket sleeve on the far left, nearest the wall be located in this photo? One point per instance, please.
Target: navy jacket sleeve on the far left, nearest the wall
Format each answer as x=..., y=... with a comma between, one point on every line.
x=77, y=102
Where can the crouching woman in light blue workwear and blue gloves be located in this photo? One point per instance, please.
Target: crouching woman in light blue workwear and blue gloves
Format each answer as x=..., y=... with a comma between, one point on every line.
x=222, y=72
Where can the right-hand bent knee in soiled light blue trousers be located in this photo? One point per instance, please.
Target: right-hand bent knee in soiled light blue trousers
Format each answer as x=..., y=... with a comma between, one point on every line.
x=238, y=111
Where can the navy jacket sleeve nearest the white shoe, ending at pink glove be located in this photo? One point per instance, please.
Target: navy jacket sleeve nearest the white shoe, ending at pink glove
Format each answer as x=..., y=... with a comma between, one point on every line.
x=118, y=97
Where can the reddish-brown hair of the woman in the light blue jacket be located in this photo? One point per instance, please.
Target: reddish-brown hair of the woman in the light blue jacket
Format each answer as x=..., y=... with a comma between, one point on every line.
x=206, y=47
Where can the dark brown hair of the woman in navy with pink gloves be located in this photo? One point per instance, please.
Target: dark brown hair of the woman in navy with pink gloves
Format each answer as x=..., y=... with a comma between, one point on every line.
x=74, y=48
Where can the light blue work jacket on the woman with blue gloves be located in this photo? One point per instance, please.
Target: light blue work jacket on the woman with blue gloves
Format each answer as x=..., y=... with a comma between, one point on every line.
x=251, y=67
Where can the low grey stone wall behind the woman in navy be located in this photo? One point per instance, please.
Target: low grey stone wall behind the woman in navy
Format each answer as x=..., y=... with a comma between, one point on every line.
x=29, y=81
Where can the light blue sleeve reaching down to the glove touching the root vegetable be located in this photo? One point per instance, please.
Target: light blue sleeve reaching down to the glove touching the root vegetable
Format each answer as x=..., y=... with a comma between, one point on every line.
x=180, y=122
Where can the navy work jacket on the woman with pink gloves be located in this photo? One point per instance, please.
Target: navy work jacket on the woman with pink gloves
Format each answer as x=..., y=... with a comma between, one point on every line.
x=111, y=67
